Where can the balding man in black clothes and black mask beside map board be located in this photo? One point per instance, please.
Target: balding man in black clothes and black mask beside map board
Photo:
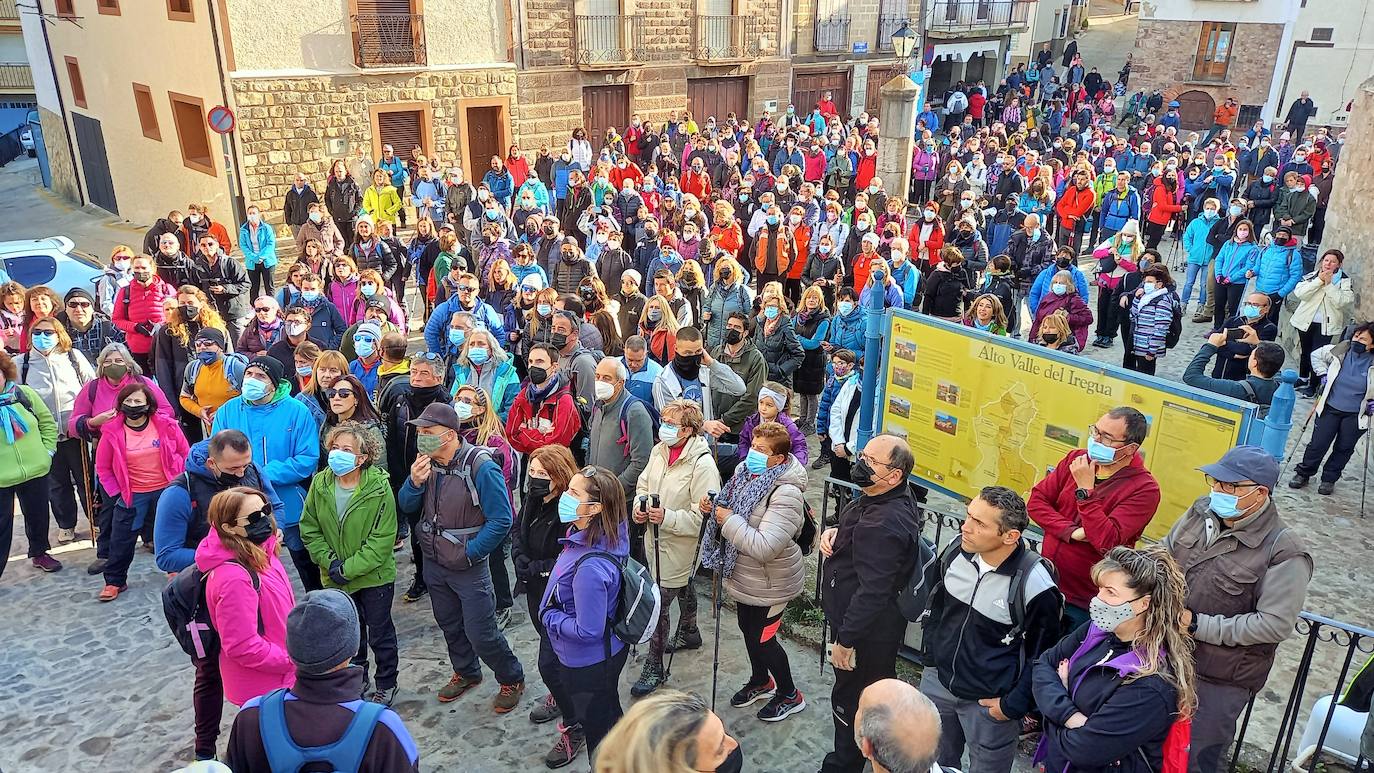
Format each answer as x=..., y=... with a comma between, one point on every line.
x=869, y=558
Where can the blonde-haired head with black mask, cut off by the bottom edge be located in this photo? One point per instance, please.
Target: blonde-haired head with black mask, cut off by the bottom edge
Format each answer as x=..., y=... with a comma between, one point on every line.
x=671, y=732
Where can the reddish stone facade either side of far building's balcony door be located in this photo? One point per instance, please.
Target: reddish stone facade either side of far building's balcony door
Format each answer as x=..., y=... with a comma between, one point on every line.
x=1166, y=50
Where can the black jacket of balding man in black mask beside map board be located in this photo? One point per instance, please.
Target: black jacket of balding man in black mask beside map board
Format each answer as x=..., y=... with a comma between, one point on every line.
x=872, y=559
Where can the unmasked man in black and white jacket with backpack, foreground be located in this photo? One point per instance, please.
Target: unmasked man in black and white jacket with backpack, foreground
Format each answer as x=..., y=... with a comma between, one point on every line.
x=994, y=610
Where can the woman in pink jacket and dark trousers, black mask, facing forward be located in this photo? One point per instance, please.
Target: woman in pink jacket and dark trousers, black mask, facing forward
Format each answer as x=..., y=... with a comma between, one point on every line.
x=139, y=454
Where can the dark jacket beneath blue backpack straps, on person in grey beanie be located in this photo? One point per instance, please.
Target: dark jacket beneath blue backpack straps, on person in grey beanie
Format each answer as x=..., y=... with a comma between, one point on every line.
x=318, y=717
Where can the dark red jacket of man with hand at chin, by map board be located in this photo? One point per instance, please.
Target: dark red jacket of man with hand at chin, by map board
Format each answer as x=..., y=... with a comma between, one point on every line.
x=1115, y=514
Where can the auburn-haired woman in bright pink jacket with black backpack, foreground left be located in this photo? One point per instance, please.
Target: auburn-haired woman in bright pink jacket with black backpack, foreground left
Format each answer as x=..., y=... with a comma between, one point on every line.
x=248, y=594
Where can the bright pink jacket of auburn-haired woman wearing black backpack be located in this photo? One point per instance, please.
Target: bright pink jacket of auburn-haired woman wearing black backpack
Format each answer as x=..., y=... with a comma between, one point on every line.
x=251, y=664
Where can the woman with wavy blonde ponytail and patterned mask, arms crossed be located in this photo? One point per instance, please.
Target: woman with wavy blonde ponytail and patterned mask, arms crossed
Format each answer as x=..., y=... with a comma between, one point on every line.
x=1112, y=691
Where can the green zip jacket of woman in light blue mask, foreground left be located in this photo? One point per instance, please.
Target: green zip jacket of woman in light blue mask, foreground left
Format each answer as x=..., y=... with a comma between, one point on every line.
x=363, y=539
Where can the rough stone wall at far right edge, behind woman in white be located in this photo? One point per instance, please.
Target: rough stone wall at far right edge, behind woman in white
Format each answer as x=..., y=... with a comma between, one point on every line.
x=1349, y=224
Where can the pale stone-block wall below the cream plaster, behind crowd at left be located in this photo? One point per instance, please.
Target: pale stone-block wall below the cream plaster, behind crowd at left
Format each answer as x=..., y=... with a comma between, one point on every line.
x=285, y=123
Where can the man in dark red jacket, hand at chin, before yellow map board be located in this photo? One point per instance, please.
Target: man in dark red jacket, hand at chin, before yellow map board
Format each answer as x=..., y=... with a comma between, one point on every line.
x=1093, y=502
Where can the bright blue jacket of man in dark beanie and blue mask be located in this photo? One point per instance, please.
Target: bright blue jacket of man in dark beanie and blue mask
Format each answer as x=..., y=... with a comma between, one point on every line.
x=286, y=446
